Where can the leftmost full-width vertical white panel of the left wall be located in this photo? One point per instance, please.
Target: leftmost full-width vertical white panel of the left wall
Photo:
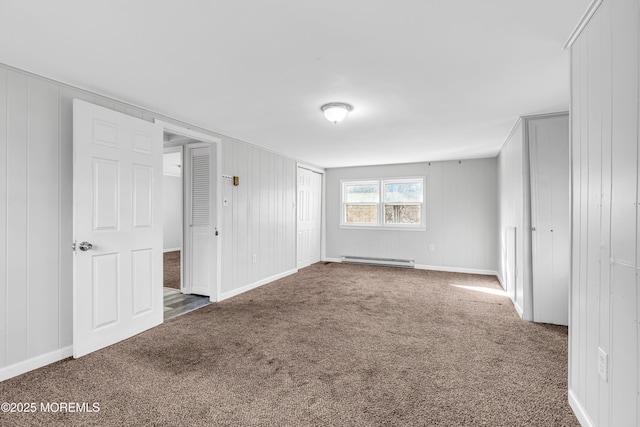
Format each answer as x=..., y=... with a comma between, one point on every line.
x=17, y=215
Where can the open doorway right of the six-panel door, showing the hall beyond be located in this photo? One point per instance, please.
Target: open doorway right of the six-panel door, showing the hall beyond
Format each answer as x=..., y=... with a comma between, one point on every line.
x=190, y=222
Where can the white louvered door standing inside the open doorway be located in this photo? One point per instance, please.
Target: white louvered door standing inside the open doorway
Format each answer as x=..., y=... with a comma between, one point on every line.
x=199, y=224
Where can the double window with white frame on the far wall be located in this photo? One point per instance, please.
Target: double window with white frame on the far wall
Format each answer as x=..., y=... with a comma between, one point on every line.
x=383, y=203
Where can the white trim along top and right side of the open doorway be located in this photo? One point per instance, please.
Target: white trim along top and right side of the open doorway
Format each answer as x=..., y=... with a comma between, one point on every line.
x=216, y=143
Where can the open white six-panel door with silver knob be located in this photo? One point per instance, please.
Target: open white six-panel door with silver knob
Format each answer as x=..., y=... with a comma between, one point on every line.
x=117, y=227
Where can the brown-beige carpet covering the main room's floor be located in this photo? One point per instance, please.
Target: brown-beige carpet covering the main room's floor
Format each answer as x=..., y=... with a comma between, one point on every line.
x=333, y=345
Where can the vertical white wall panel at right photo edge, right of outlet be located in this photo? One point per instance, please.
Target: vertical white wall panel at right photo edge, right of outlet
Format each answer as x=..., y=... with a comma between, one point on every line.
x=624, y=350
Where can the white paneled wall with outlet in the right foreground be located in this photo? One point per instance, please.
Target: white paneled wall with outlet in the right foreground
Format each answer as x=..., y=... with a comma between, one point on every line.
x=604, y=298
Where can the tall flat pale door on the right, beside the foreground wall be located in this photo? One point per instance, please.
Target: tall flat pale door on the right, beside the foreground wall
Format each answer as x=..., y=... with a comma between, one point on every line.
x=550, y=219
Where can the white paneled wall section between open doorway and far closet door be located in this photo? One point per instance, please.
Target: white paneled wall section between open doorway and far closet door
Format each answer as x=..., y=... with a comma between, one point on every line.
x=259, y=217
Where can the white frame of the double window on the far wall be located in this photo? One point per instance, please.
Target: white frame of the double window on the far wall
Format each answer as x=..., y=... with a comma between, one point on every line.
x=380, y=225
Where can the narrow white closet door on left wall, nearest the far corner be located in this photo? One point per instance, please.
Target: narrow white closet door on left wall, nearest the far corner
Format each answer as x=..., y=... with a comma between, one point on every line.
x=309, y=216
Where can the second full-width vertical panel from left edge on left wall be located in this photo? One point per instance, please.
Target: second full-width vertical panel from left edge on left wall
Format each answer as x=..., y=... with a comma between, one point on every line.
x=43, y=230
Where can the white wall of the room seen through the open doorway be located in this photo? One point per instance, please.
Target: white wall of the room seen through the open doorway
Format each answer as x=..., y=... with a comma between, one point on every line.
x=172, y=212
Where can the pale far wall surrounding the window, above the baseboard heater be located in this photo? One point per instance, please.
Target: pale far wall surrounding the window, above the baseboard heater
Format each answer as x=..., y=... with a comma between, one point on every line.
x=462, y=217
